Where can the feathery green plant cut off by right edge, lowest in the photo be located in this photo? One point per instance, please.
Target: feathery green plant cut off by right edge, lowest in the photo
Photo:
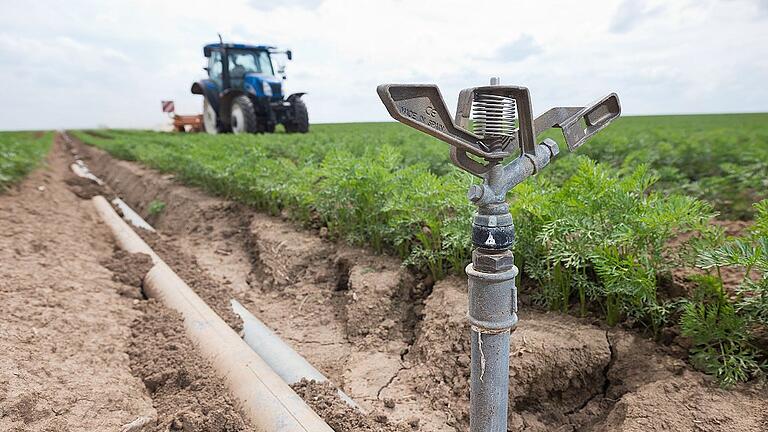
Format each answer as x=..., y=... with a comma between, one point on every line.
x=724, y=326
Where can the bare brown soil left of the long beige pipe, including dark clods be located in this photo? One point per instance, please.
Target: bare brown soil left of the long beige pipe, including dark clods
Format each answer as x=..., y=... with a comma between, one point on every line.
x=83, y=349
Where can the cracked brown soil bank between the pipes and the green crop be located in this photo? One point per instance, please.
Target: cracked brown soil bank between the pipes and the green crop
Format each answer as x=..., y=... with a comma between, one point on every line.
x=398, y=345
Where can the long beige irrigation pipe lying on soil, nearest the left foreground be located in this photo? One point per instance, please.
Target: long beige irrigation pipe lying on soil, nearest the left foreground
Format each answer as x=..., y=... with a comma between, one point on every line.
x=263, y=396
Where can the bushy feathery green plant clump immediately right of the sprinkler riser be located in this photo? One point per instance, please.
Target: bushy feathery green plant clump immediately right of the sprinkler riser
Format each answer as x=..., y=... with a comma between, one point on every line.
x=603, y=237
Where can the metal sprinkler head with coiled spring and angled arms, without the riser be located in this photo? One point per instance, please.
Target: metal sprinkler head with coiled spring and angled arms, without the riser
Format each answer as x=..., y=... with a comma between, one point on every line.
x=502, y=121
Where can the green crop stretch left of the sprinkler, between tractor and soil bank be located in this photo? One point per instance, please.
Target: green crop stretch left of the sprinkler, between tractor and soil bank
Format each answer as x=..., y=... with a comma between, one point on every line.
x=370, y=195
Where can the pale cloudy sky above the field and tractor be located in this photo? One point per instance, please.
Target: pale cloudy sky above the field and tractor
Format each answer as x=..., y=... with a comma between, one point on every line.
x=95, y=63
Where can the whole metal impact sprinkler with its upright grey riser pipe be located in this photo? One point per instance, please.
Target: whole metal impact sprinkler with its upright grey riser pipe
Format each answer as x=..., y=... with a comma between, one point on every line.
x=503, y=128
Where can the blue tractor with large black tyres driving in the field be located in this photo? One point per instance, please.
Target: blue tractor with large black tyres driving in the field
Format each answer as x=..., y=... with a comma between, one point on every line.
x=242, y=93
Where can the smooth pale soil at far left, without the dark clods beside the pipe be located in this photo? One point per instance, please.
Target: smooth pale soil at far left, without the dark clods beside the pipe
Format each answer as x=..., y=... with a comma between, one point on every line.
x=65, y=329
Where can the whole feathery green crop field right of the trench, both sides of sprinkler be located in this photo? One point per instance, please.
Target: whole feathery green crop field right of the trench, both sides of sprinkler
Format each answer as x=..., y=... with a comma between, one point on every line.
x=632, y=229
